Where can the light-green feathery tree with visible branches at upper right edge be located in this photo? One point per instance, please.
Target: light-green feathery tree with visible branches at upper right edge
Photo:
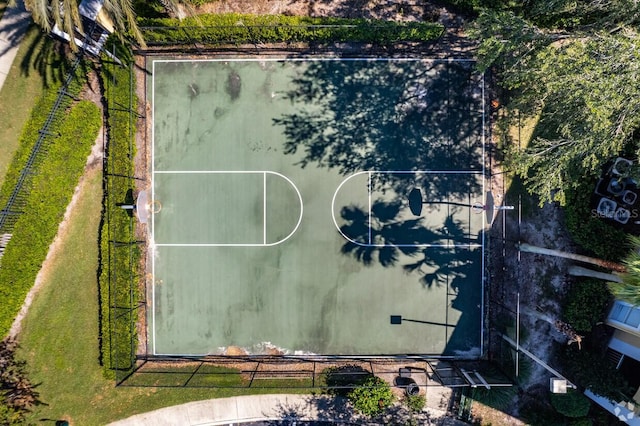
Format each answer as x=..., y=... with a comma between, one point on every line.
x=589, y=99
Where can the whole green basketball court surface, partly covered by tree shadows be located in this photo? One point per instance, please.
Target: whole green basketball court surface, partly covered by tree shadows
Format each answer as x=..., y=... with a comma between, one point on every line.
x=282, y=219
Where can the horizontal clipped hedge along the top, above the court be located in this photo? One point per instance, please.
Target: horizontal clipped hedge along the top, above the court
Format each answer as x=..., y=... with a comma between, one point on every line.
x=241, y=29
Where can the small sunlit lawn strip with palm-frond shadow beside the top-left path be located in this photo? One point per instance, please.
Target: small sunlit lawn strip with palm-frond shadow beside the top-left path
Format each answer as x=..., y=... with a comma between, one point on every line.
x=22, y=88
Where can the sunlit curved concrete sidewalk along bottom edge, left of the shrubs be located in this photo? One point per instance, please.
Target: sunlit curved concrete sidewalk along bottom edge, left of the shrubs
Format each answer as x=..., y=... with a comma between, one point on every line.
x=238, y=409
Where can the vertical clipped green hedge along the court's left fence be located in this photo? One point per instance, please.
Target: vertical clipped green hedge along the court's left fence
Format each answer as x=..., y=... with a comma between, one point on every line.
x=120, y=257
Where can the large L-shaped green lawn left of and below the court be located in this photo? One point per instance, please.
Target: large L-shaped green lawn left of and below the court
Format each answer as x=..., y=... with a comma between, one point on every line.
x=60, y=335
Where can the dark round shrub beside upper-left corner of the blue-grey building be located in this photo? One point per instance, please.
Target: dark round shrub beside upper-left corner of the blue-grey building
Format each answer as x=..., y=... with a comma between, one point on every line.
x=587, y=302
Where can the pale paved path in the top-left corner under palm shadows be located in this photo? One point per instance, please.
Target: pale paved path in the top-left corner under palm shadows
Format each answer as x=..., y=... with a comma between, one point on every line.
x=13, y=26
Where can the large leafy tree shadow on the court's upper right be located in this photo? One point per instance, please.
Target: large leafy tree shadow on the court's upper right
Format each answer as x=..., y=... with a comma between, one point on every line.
x=388, y=116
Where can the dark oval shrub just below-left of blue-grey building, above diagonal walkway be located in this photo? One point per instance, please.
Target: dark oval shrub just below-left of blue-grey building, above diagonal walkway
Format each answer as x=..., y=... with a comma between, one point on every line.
x=594, y=372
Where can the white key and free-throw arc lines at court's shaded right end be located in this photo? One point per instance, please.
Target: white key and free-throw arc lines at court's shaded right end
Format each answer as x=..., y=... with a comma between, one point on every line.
x=407, y=172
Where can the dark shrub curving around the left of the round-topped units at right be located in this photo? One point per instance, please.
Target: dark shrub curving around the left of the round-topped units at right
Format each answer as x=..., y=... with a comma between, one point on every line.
x=582, y=223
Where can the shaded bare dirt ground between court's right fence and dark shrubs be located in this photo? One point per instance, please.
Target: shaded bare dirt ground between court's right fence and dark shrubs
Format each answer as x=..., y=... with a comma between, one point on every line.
x=527, y=284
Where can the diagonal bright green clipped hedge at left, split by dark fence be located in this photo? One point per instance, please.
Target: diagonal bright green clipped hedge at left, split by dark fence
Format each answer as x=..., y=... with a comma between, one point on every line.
x=51, y=190
